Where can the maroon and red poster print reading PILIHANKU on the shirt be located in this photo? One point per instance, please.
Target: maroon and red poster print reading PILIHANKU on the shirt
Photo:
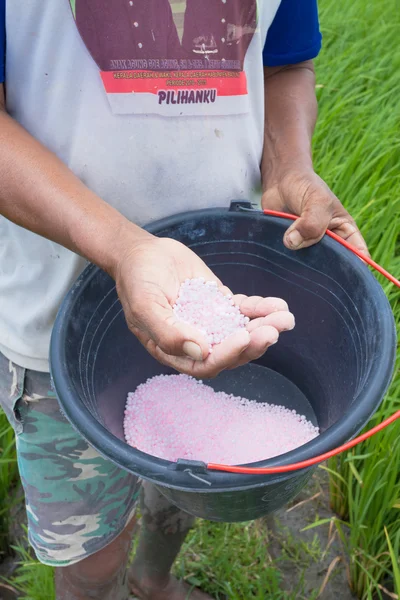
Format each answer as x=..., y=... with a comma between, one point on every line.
x=170, y=57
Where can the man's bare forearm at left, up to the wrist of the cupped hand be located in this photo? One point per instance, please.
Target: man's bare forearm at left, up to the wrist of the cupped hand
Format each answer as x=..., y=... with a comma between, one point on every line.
x=38, y=192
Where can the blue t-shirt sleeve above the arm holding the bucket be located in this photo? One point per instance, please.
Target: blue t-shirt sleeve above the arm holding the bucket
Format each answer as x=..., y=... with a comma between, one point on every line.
x=294, y=35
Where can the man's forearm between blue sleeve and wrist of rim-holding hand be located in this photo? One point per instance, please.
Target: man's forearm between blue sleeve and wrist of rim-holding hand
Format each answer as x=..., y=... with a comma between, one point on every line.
x=290, y=116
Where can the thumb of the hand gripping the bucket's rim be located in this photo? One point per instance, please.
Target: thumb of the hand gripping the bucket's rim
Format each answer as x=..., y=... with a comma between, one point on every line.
x=310, y=227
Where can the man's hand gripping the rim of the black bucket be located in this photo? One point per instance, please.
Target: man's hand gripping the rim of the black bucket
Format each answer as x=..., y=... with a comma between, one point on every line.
x=304, y=193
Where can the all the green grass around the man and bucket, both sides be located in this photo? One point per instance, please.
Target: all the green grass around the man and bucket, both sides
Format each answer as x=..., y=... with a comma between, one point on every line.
x=357, y=151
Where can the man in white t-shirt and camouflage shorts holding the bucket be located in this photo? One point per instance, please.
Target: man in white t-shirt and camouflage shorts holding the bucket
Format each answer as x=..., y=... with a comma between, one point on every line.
x=77, y=182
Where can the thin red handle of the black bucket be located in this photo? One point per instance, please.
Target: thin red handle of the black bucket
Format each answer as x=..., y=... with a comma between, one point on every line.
x=361, y=438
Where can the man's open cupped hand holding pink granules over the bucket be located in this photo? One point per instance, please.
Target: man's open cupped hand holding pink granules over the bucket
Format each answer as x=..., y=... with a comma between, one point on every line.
x=148, y=277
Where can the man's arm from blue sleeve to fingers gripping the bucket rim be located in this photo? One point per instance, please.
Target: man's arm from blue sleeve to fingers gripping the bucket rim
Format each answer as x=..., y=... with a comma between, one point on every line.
x=289, y=181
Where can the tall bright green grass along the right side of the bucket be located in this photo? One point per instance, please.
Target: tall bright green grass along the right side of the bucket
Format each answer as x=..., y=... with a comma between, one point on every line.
x=357, y=151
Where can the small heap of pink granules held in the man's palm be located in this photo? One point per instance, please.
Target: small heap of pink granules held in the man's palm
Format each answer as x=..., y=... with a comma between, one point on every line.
x=200, y=303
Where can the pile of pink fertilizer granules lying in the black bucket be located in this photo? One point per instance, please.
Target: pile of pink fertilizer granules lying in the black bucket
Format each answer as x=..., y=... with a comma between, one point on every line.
x=177, y=416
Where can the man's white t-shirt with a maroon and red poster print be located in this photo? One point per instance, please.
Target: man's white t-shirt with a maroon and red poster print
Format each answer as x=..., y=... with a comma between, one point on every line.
x=157, y=111
